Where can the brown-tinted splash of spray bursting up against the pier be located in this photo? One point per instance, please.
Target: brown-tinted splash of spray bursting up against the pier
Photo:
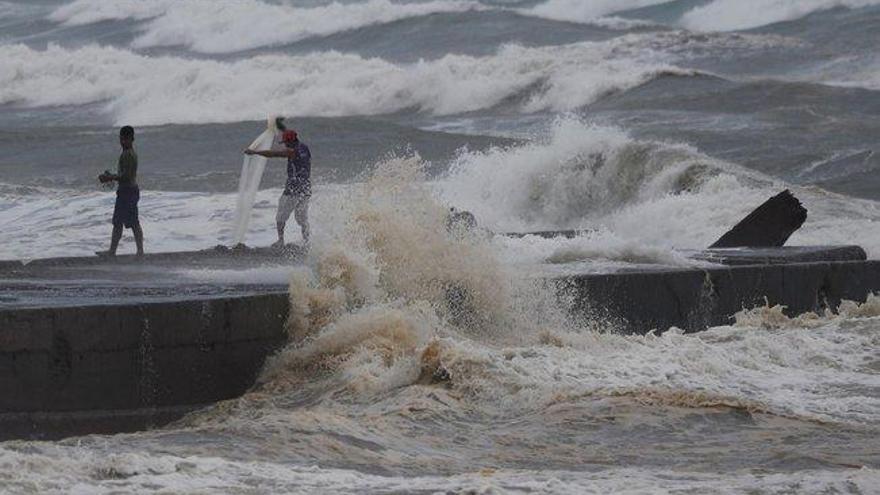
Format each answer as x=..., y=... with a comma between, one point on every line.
x=397, y=300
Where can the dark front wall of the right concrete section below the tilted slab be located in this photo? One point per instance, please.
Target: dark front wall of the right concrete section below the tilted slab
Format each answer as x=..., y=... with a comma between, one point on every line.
x=695, y=299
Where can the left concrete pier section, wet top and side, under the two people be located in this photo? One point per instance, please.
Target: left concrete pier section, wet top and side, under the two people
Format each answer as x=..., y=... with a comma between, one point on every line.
x=91, y=345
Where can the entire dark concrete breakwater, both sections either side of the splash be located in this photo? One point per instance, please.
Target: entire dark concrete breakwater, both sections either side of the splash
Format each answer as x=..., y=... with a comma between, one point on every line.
x=107, y=363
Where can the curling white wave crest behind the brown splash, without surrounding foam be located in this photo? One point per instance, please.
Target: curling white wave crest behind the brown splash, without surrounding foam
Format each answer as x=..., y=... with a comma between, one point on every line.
x=581, y=173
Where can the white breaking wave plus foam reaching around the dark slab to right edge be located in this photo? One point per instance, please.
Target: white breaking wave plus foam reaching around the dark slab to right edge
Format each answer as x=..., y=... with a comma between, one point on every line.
x=645, y=198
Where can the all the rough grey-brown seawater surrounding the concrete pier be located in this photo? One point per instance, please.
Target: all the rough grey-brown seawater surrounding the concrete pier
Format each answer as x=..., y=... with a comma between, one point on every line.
x=655, y=124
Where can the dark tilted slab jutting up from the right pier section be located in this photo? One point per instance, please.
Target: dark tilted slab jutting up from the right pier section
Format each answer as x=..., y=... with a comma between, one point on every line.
x=770, y=225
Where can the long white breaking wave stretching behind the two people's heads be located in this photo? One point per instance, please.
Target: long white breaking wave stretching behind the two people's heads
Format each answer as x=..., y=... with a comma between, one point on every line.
x=137, y=89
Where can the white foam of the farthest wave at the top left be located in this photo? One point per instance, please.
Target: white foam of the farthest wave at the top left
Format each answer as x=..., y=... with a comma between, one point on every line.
x=225, y=26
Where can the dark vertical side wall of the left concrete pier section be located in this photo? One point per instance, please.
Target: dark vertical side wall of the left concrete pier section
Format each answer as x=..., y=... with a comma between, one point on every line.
x=125, y=357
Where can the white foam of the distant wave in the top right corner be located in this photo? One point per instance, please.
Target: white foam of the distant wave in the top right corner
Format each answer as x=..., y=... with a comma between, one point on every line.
x=731, y=15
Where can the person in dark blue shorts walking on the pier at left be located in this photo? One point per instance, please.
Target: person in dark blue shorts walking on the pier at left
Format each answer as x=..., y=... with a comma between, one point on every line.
x=125, y=214
